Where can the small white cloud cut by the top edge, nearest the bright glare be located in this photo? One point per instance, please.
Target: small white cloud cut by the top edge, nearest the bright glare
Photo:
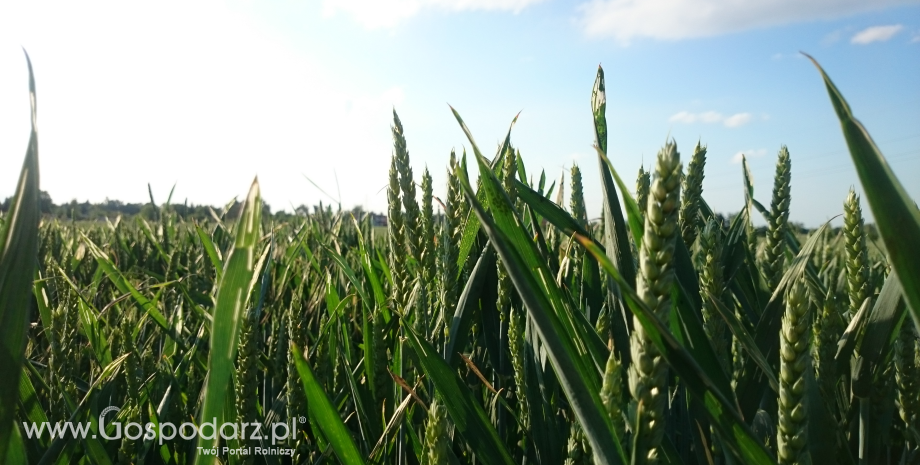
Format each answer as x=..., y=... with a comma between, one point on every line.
x=376, y=14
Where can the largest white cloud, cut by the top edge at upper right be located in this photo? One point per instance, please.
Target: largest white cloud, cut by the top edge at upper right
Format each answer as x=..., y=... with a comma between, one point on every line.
x=625, y=20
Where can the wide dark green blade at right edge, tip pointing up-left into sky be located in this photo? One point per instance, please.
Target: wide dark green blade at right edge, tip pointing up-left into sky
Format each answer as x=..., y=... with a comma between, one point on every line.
x=896, y=215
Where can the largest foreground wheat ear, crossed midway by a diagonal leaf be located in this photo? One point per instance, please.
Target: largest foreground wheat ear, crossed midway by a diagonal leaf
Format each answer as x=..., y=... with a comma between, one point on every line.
x=648, y=374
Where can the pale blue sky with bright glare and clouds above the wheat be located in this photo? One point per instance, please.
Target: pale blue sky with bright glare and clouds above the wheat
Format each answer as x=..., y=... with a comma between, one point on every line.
x=206, y=95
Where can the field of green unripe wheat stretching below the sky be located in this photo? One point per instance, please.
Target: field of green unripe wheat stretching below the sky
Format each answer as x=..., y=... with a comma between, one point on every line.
x=505, y=328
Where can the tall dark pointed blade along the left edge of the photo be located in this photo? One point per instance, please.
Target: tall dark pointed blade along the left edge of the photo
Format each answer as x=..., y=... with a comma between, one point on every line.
x=18, y=258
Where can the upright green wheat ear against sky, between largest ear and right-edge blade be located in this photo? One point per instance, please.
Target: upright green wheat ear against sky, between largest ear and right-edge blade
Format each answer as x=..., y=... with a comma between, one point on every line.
x=779, y=216
